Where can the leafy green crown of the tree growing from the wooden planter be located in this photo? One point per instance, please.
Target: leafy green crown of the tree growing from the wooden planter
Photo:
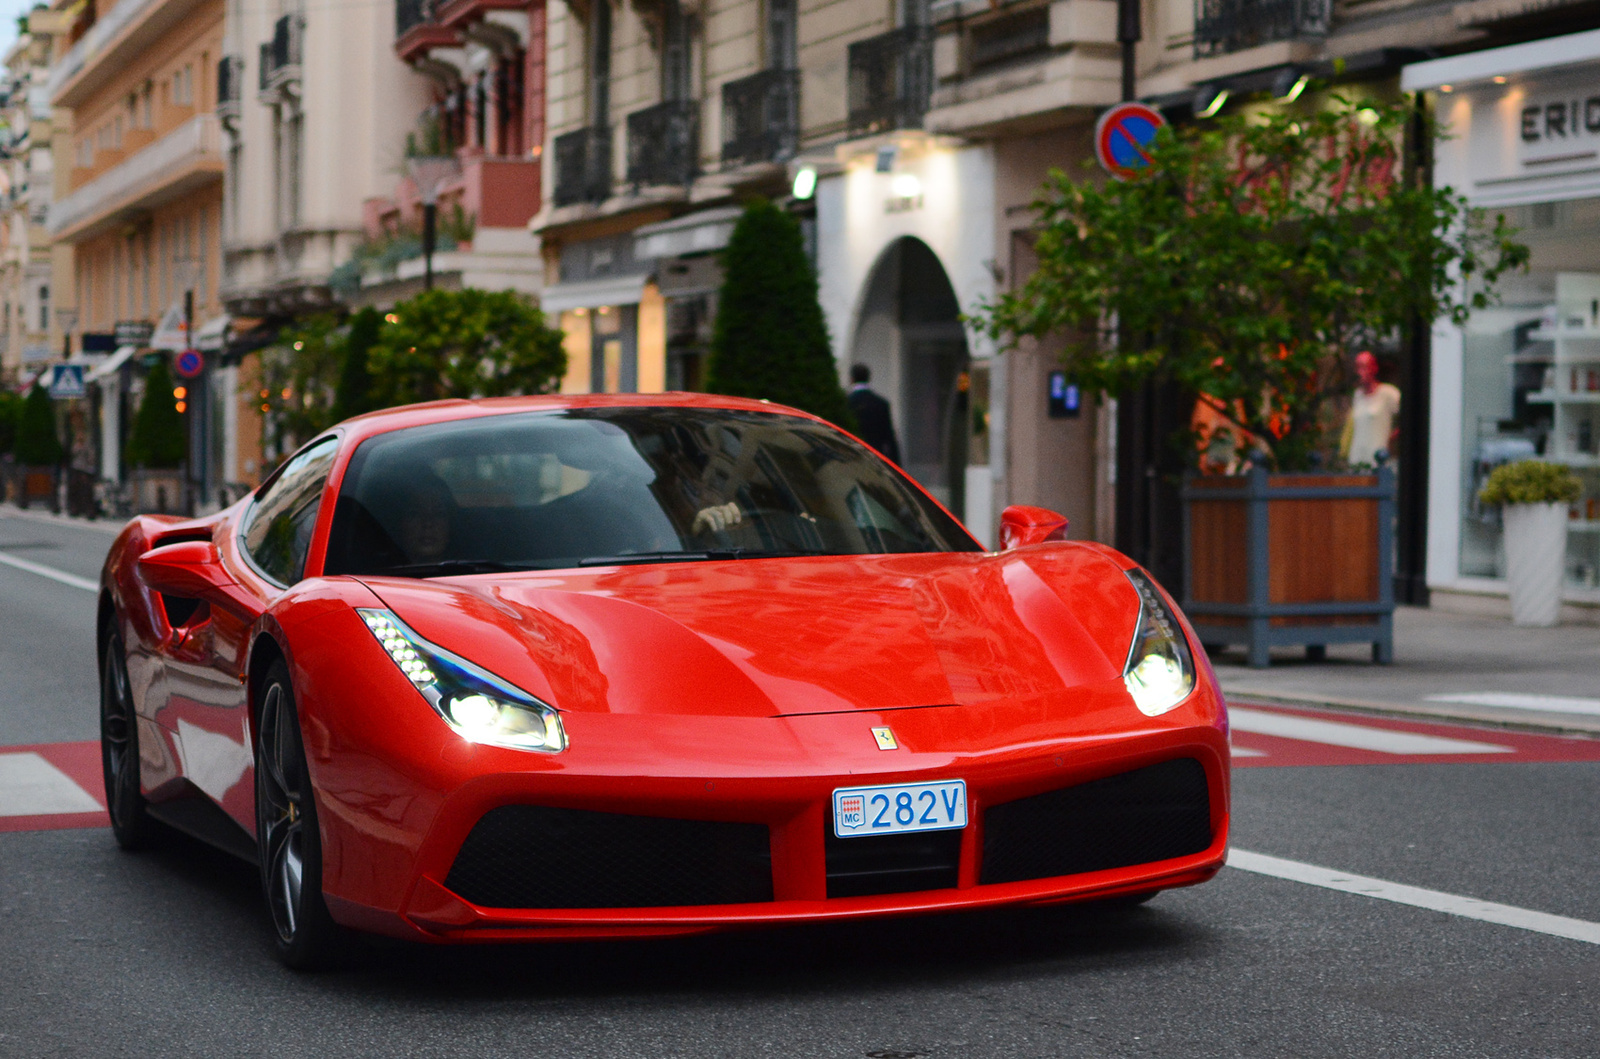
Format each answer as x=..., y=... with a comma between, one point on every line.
x=1250, y=262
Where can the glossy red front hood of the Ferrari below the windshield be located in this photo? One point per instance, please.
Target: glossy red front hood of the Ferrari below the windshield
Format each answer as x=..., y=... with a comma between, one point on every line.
x=790, y=636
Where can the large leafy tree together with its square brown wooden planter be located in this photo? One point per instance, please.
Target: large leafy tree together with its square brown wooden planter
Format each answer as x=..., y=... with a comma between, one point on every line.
x=1246, y=266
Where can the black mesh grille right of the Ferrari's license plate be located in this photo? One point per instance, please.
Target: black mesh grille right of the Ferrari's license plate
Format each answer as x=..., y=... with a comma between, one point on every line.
x=1148, y=815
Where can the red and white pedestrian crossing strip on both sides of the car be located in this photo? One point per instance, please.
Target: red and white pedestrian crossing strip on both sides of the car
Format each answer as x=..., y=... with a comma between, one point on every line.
x=60, y=786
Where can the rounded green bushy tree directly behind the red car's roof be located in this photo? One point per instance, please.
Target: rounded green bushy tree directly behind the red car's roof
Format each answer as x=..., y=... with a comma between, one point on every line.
x=465, y=343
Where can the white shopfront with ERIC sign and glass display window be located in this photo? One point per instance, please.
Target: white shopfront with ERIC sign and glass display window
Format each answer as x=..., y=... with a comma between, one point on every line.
x=1522, y=380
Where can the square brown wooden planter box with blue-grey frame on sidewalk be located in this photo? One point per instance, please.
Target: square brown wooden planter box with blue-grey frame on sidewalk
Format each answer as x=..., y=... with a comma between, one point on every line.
x=1287, y=561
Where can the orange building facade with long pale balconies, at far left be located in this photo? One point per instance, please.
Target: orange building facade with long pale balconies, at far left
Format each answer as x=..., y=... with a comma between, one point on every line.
x=138, y=194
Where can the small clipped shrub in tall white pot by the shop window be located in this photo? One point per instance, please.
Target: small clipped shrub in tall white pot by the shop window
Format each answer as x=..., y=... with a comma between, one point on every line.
x=1534, y=498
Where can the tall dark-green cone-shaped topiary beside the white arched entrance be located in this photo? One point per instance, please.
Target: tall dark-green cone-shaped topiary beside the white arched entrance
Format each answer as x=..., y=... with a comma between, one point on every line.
x=770, y=340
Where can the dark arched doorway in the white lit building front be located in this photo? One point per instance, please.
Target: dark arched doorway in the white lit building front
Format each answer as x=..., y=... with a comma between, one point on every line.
x=911, y=337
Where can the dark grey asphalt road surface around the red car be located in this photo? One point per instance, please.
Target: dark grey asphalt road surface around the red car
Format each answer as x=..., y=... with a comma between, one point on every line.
x=167, y=953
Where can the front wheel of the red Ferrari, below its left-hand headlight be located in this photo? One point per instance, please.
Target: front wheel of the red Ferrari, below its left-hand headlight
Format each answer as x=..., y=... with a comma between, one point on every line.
x=289, y=842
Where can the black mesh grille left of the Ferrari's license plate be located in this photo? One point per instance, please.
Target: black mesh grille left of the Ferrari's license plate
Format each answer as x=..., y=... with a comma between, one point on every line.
x=526, y=857
